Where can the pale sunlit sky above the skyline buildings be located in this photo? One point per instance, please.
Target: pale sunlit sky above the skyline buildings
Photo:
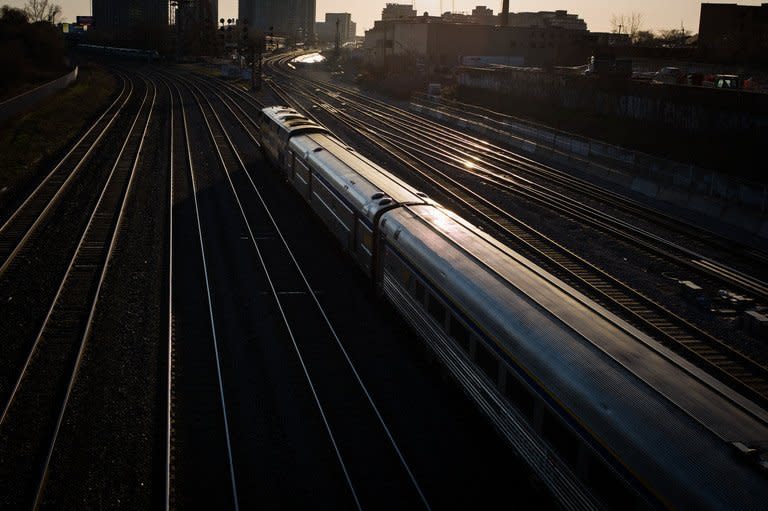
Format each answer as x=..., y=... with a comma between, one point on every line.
x=657, y=14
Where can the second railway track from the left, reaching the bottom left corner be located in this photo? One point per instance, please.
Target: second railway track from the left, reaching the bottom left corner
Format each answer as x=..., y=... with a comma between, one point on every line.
x=33, y=413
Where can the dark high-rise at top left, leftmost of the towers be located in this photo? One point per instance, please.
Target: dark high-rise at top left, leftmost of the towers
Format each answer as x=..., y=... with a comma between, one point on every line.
x=140, y=23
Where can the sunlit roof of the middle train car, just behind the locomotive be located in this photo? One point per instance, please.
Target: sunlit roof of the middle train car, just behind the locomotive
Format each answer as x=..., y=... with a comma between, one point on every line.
x=369, y=186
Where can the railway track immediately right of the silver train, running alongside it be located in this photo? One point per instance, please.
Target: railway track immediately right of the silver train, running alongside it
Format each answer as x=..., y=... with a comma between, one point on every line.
x=734, y=368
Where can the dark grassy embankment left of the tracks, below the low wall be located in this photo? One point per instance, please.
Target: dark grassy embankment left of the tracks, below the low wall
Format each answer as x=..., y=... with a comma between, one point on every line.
x=27, y=141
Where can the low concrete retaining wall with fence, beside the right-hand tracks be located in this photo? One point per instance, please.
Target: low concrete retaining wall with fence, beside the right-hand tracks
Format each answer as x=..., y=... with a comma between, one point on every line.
x=729, y=200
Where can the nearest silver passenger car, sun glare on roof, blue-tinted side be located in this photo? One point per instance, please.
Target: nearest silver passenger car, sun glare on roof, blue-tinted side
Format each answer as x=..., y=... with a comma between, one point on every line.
x=672, y=425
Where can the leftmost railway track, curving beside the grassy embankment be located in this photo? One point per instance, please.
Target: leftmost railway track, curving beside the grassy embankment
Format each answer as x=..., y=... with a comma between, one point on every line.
x=24, y=221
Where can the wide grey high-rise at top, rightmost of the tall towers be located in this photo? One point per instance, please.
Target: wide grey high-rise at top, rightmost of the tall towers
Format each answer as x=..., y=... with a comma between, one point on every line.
x=294, y=19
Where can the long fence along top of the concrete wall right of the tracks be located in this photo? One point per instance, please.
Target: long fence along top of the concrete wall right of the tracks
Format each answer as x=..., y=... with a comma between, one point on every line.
x=650, y=175
